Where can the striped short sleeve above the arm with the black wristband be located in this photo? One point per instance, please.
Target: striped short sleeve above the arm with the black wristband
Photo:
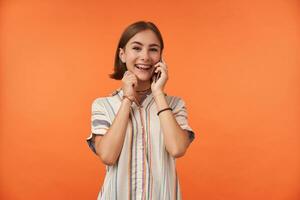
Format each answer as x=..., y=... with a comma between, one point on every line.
x=181, y=116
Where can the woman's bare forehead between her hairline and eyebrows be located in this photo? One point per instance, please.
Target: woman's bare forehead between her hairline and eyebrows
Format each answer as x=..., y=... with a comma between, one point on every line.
x=146, y=37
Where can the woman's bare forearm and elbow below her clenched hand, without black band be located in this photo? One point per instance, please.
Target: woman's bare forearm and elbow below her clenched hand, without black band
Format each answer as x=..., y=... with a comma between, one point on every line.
x=109, y=146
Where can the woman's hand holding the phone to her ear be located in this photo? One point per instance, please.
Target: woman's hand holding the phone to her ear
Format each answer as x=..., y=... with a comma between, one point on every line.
x=158, y=86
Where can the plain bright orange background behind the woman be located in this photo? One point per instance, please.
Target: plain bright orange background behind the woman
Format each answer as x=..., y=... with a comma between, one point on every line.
x=235, y=63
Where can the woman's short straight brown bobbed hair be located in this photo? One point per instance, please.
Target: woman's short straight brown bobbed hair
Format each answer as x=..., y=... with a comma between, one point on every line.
x=129, y=32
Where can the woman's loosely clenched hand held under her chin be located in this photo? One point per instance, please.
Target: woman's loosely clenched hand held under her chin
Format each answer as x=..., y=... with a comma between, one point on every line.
x=129, y=84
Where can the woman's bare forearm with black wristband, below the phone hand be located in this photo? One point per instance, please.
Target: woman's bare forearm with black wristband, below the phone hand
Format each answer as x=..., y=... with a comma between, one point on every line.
x=176, y=139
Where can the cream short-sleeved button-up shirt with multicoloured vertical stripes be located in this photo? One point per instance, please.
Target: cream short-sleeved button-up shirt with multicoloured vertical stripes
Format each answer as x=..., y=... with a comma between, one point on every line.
x=144, y=169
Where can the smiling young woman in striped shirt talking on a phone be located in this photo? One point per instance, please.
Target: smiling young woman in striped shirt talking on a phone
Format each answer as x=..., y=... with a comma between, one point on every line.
x=139, y=130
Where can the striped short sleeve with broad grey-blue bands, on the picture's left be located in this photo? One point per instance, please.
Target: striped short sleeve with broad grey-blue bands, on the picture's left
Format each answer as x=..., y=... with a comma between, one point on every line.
x=100, y=122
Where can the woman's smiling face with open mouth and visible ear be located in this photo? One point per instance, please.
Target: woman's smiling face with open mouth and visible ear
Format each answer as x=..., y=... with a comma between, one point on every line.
x=141, y=53
